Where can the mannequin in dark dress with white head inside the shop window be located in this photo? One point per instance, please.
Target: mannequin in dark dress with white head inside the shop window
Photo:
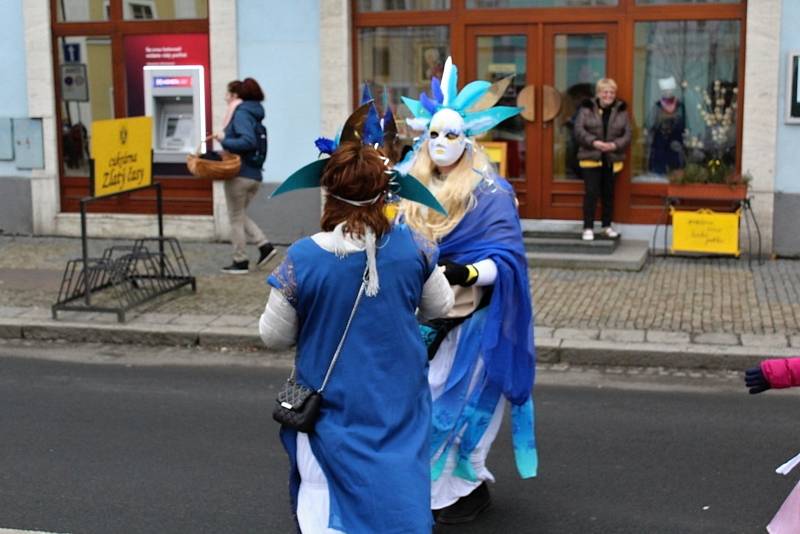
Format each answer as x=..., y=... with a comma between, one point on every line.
x=665, y=125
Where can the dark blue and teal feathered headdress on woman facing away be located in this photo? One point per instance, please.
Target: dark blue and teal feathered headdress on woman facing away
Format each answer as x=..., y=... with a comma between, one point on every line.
x=365, y=126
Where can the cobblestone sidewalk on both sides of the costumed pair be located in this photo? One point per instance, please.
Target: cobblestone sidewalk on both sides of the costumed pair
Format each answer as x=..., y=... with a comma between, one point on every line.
x=696, y=296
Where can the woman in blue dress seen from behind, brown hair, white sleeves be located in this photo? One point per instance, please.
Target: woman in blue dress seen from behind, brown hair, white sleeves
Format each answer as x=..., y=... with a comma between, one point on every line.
x=365, y=467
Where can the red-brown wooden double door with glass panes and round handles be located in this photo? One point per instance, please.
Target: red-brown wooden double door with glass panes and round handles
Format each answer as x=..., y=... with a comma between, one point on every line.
x=553, y=75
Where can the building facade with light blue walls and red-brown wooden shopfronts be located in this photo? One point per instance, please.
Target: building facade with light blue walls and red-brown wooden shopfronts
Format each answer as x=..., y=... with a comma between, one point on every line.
x=705, y=83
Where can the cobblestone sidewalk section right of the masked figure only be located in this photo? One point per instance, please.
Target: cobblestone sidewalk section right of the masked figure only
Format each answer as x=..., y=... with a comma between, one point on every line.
x=692, y=295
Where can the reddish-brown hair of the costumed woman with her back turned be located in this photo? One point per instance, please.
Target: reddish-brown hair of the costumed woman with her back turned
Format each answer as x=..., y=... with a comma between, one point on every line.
x=355, y=172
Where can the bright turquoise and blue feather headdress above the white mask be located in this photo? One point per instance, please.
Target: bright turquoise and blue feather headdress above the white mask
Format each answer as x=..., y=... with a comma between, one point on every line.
x=475, y=102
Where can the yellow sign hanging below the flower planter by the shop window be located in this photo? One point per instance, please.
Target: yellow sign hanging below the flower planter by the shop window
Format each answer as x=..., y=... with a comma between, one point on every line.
x=705, y=231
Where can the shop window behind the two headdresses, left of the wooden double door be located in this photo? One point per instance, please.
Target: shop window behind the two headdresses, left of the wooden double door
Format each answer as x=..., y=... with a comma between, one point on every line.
x=401, y=61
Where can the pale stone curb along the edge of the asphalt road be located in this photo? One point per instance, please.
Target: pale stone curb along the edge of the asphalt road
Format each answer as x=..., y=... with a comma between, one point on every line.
x=569, y=346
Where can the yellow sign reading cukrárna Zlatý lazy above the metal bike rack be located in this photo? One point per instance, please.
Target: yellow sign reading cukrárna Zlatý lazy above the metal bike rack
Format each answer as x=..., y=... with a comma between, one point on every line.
x=122, y=154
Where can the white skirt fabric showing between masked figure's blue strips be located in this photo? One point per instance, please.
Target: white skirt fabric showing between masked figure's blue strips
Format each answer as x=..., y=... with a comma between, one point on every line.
x=448, y=488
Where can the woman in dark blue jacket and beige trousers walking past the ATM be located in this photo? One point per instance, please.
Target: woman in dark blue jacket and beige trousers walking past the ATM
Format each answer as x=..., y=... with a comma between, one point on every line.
x=245, y=135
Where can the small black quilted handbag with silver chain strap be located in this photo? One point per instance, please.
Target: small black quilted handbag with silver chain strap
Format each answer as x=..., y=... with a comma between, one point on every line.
x=298, y=406
